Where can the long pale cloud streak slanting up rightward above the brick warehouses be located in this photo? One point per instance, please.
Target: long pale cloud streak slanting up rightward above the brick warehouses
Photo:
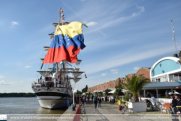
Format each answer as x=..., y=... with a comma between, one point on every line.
x=131, y=56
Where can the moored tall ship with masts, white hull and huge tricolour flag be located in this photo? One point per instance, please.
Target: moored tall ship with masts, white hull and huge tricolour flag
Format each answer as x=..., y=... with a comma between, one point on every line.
x=54, y=88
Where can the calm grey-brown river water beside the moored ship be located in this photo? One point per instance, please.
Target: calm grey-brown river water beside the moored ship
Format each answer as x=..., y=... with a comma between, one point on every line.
x=24, y=105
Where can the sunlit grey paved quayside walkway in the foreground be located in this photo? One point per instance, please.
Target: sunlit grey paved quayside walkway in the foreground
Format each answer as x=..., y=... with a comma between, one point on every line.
x=111, y=113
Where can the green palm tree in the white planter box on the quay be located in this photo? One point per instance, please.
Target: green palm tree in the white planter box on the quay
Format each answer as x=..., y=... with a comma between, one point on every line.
x=135, y=85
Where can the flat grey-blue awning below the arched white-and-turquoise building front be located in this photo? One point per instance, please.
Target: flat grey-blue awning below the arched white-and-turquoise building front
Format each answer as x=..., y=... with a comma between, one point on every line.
x=163, y=85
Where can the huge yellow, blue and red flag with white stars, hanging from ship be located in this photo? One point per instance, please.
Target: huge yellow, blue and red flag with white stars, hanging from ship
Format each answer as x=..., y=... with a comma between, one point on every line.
x=66, y=44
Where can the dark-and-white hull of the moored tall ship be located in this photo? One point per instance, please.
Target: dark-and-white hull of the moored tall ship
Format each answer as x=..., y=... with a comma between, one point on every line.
x=53, y=99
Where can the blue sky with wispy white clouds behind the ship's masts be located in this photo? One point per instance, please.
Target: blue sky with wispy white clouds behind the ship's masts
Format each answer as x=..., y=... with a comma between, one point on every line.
x=122, y=36
